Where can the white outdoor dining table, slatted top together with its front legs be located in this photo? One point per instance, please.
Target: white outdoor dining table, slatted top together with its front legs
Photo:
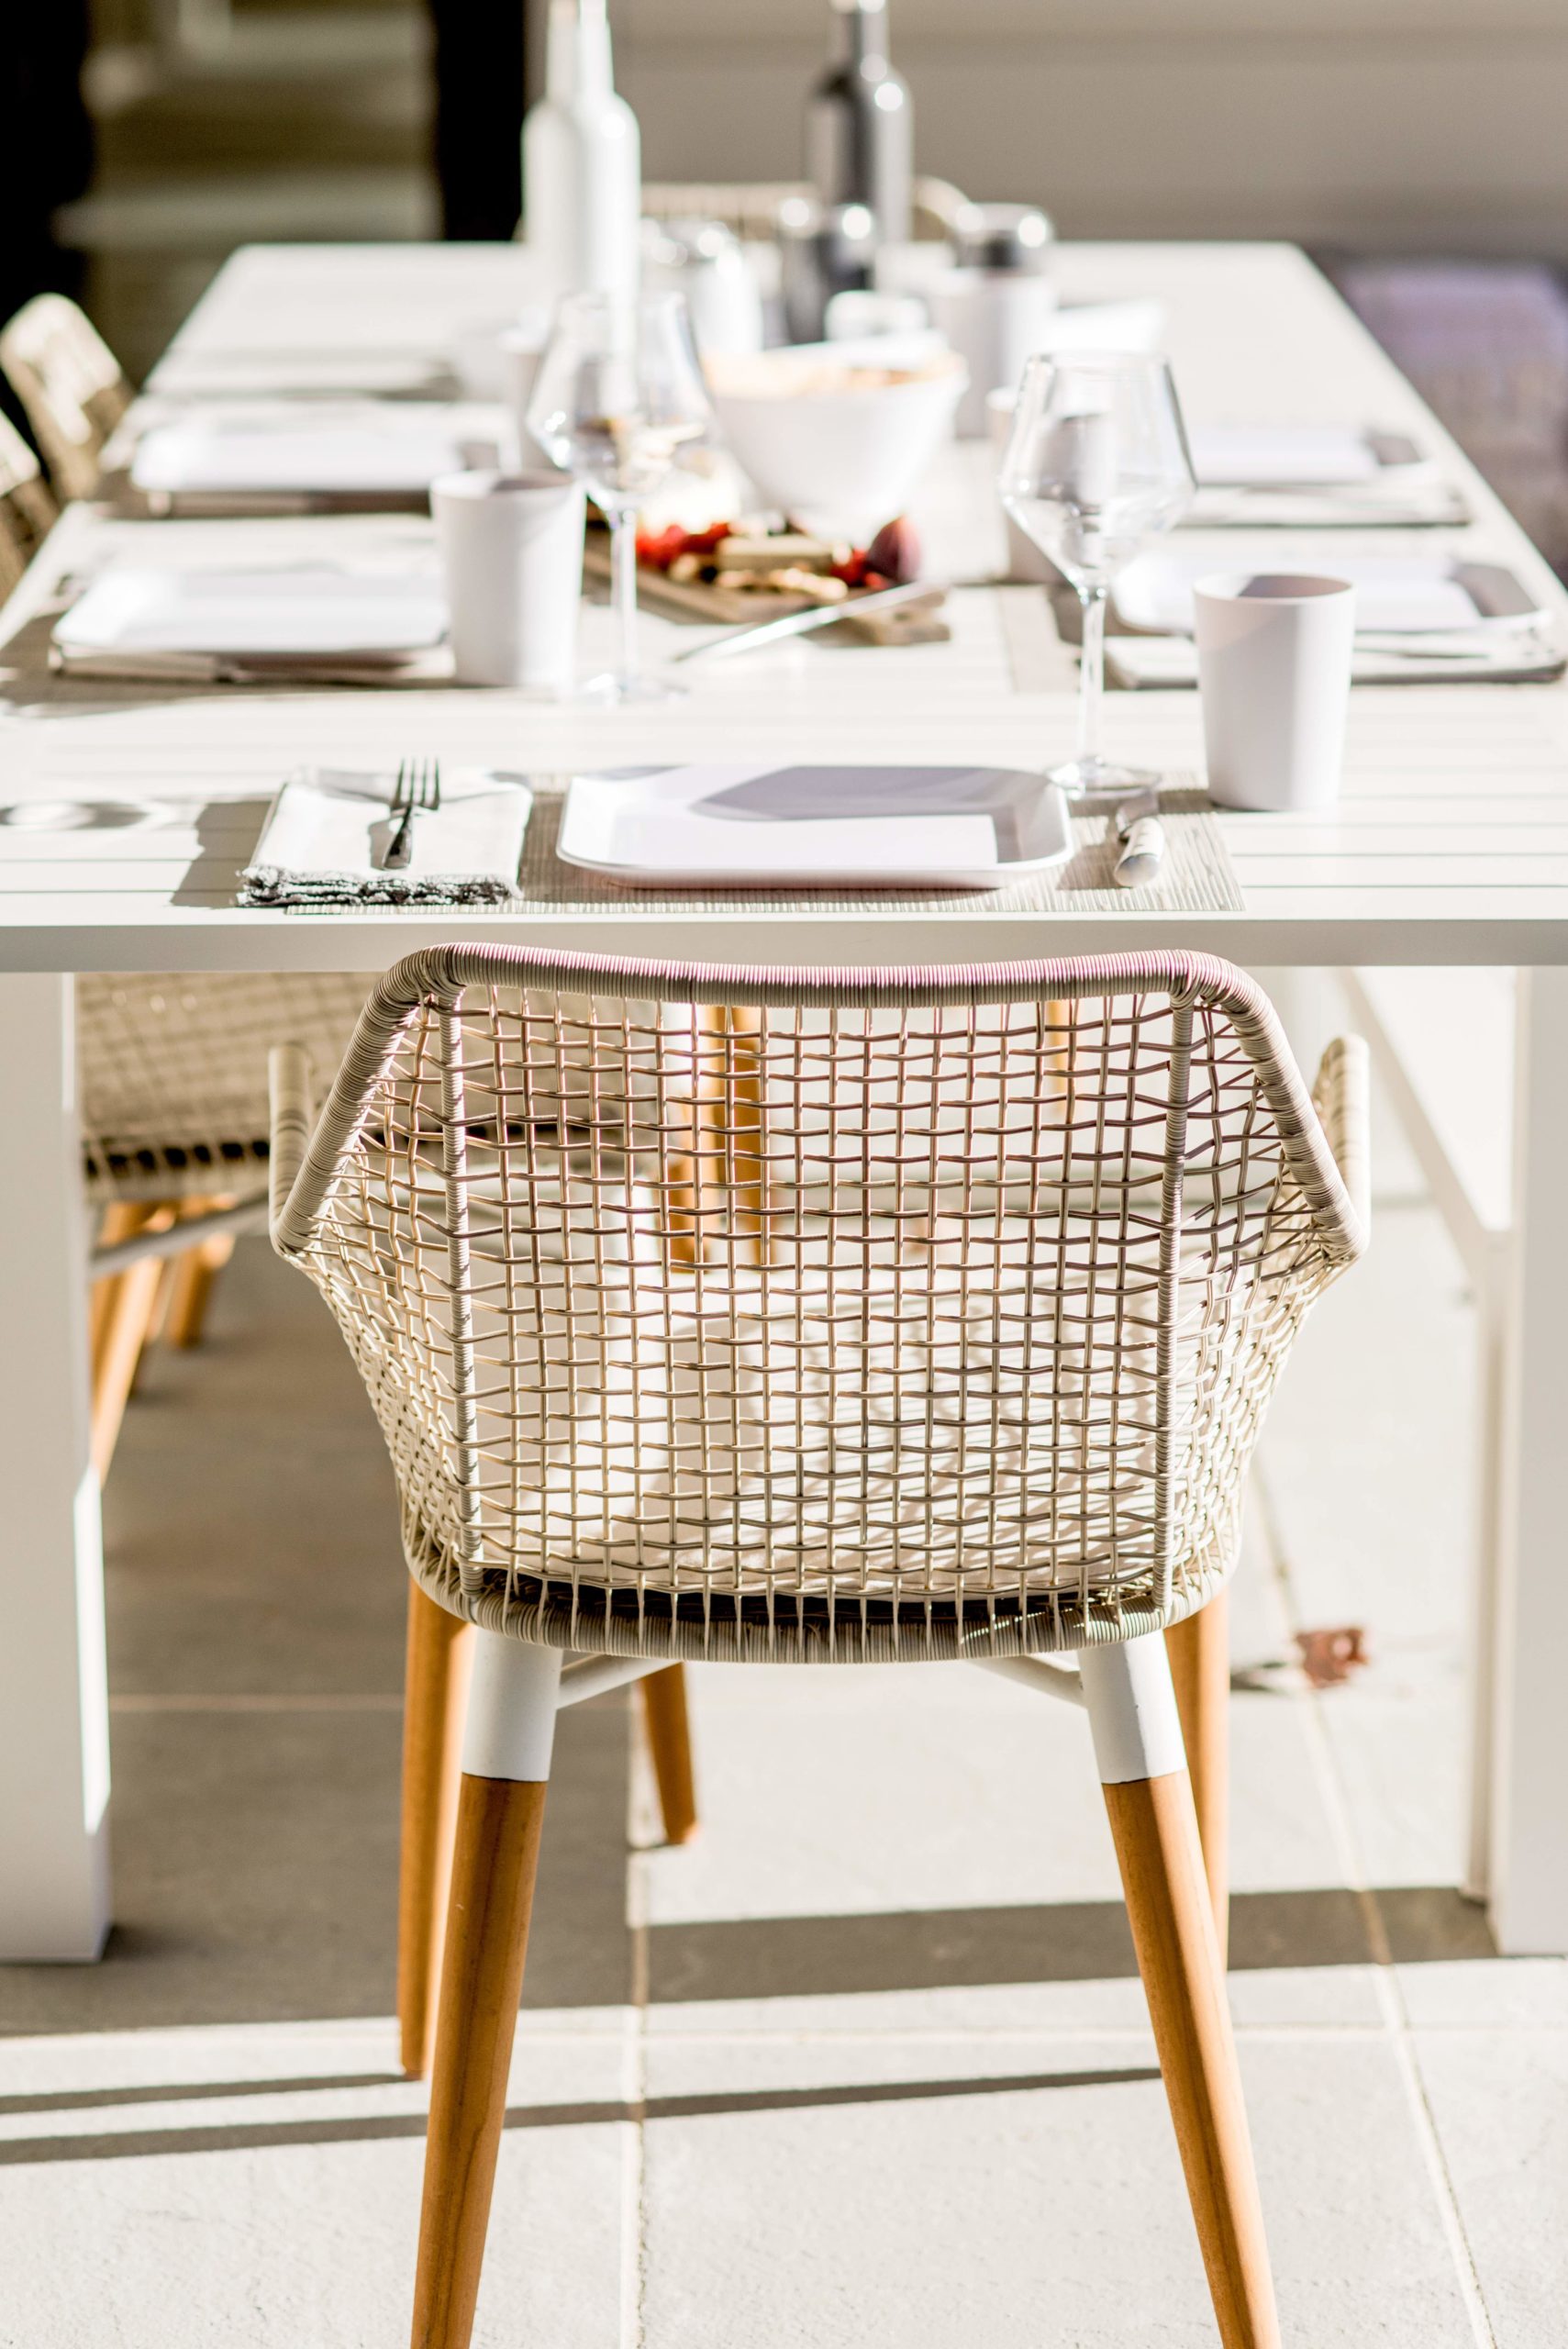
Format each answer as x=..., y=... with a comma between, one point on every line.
x=1449, y=849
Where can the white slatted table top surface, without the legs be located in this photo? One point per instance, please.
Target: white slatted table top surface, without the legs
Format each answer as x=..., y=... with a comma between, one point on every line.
x=1452, y=842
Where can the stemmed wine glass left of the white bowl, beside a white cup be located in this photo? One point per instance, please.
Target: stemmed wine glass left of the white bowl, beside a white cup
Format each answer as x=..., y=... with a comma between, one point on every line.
x=616, y=396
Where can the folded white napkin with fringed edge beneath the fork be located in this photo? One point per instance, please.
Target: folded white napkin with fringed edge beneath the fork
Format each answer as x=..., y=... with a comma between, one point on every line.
x=330, y=830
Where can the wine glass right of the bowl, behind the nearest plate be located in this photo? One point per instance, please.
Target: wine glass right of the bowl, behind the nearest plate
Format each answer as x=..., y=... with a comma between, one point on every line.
x=1097, y=464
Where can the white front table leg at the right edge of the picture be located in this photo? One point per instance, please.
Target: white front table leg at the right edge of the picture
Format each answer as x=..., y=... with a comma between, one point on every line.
x=1529, y=1845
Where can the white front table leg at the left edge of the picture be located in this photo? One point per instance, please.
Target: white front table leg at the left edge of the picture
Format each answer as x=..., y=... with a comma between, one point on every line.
x=53, y=1683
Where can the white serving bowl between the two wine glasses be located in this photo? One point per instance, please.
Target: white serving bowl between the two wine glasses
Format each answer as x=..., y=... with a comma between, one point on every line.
x=837, y=457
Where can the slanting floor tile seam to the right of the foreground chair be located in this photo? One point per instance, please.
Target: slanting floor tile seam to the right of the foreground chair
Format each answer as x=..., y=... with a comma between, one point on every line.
x=1384, y=1972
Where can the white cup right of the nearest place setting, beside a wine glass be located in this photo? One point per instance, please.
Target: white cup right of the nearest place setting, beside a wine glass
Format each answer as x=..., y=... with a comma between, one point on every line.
x=1273, y=664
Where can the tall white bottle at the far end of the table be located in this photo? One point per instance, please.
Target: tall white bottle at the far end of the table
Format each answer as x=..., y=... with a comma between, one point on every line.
x=583, y=173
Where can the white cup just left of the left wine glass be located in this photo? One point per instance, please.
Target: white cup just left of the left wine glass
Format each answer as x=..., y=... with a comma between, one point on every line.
x=513, y=565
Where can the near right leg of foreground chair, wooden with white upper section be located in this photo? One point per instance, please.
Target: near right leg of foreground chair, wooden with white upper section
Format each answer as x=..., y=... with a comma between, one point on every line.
x=1154, y=1824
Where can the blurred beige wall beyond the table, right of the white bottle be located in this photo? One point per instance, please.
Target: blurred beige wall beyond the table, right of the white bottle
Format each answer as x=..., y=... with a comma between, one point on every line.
x=1379, y=126
